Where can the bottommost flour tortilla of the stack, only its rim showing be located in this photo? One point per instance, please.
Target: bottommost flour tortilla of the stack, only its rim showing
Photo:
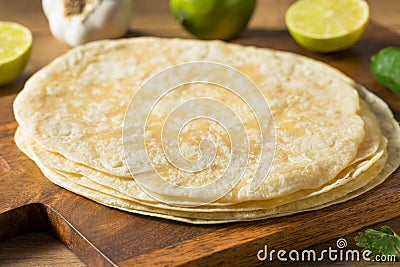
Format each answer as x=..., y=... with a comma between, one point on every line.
x=222, y=217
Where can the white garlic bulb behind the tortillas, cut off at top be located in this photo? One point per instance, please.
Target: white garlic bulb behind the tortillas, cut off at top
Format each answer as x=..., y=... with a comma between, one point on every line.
x=77, y=22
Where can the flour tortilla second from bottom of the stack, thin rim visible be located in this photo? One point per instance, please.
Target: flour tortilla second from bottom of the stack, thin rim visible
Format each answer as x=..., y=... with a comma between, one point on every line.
x=356, y=180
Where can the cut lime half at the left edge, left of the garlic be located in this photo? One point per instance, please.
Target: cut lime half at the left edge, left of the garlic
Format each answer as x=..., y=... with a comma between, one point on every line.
x=15, y=48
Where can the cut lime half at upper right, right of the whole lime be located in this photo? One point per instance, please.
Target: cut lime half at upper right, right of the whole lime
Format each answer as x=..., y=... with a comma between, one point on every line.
x=327, y=25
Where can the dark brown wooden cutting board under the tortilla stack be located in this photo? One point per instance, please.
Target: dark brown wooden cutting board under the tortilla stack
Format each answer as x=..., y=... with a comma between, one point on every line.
x=104, y=236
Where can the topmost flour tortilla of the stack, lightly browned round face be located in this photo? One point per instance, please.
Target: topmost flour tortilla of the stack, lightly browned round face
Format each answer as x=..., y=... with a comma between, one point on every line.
x=58, y=111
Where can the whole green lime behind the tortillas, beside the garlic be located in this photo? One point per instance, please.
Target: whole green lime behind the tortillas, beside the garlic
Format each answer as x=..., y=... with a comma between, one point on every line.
x=213, y=19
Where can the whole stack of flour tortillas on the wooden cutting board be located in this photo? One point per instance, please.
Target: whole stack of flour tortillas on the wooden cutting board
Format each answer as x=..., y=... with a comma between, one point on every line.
x=334, y=140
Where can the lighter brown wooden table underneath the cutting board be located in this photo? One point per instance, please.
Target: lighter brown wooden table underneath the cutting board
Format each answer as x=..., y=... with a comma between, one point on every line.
x=40, y=249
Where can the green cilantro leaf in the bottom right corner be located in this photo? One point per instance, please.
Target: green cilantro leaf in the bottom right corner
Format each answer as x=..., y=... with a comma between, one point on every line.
x=385, y=242
